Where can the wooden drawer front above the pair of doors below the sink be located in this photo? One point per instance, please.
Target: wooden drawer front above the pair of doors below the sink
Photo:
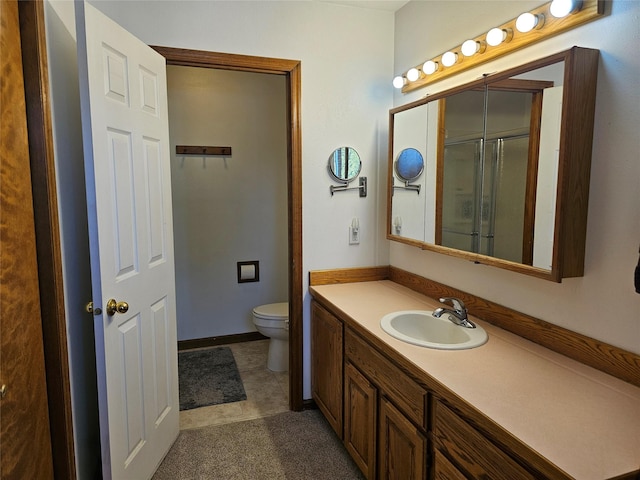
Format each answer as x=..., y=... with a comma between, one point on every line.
x=404, y=392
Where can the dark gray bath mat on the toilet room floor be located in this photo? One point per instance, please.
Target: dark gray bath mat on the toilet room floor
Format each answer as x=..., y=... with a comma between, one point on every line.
x=208, y=377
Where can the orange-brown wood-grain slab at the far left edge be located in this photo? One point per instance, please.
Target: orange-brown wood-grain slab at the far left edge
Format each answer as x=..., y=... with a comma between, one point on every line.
x=25, y=433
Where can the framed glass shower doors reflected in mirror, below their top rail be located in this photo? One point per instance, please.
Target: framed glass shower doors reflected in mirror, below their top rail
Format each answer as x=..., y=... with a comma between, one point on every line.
x=483, y=197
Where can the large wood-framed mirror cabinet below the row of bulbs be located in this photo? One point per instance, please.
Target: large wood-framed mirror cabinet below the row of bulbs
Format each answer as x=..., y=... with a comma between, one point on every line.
x=506, y=173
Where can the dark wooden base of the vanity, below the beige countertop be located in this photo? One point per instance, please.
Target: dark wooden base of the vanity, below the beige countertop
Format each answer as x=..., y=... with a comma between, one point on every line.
x=380, y=412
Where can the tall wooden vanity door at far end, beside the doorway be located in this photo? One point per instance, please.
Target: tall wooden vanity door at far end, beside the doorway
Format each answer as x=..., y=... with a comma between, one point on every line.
x=326, y=365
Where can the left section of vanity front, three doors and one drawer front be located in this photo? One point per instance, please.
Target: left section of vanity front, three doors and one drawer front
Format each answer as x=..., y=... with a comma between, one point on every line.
x=384, y=427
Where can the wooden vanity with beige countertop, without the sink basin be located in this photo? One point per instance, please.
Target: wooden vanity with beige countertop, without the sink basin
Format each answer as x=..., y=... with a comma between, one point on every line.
x=406, y=416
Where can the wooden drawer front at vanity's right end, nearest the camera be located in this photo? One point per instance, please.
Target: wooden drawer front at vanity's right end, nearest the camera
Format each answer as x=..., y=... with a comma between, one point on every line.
x=471, y=451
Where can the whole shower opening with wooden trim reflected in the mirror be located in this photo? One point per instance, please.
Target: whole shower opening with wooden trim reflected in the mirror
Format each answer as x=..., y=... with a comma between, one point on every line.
x=489, y=163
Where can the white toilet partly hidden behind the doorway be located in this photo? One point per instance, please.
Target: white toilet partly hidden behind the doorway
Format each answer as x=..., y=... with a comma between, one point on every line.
x=272, y=320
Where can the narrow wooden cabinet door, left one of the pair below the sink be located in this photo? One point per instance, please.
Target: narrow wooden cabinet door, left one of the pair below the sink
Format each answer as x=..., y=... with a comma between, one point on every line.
x=360, y=399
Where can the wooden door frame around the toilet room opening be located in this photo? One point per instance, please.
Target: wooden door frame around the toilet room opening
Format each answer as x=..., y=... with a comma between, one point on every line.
x=291, y=69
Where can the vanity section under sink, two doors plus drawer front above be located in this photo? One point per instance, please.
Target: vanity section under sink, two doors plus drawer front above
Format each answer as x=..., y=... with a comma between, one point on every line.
x=384, y=411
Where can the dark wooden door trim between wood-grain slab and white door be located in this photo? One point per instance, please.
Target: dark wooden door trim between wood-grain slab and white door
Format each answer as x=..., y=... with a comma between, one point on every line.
x=48, y=245
